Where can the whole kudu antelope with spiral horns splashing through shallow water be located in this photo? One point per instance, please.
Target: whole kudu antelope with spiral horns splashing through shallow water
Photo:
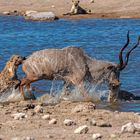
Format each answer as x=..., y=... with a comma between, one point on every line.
x=73, y=66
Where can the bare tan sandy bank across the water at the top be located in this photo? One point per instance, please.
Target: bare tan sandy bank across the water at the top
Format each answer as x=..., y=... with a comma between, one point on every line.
x=100, y=8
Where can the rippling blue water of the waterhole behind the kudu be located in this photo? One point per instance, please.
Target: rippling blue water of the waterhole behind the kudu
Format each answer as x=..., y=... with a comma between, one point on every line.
x=100, y=38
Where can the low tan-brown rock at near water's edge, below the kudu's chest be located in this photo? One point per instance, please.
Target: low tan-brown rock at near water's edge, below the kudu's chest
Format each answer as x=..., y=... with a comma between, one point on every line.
x=84, y=107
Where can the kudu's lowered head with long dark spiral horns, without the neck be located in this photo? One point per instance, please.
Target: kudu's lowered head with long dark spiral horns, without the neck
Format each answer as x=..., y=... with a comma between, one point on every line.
x=114, y=71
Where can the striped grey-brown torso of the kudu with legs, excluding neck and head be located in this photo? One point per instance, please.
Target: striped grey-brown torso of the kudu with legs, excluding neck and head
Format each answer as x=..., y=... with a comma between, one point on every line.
x=68, y=64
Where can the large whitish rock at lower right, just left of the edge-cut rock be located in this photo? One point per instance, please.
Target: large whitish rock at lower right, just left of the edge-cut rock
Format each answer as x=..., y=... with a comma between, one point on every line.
x=129, y=127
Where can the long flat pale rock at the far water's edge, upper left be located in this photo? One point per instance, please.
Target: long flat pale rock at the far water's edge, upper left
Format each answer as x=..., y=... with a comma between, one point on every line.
x=41, y=16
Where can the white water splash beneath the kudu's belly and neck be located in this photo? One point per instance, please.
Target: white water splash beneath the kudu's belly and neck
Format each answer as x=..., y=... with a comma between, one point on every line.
x=95, y=92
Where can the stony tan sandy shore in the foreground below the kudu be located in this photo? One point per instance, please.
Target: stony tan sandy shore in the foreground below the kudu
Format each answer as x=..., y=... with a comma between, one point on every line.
x=40, y=129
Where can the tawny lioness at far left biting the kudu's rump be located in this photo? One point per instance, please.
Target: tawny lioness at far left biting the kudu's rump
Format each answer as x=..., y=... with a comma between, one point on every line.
x=8, y=76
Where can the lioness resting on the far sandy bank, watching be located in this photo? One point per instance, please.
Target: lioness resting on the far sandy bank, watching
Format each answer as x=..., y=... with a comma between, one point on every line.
x=76, y=9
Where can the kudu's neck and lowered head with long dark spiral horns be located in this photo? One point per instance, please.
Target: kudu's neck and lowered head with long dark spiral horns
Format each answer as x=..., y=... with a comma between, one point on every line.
x=109, y=72
